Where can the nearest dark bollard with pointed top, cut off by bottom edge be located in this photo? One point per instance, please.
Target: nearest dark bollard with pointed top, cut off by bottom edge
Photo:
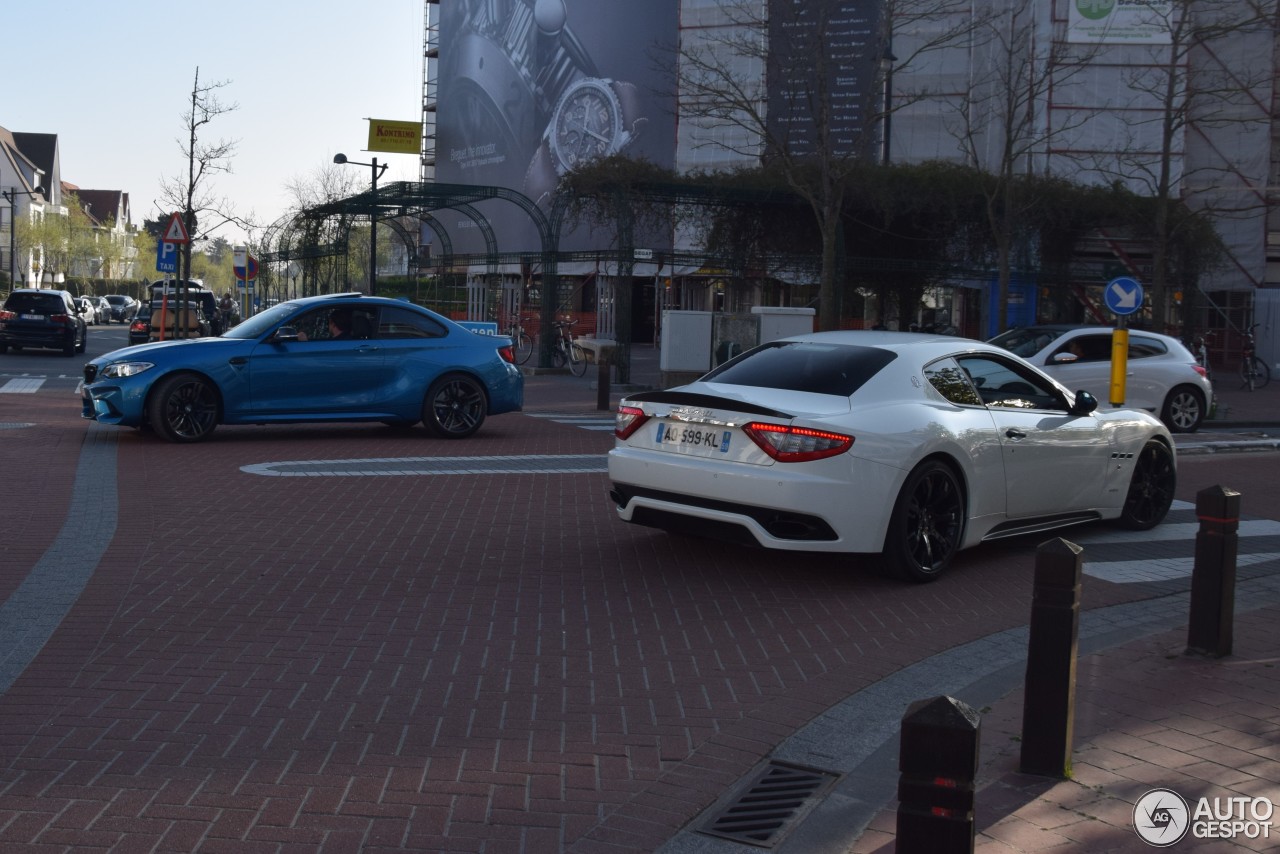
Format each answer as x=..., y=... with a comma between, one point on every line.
x=938, y=766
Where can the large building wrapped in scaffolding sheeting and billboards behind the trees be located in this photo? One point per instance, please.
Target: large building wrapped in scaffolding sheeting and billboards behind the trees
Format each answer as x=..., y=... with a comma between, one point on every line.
x=1174, y=98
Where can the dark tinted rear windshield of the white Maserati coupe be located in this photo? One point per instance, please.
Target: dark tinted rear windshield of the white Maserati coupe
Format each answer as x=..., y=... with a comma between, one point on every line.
x=804, y=367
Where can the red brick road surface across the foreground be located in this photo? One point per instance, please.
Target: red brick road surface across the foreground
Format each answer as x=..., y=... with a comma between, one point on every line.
x=336, y=664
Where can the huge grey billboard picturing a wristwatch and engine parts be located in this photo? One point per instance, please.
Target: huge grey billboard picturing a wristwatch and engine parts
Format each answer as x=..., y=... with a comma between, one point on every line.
x=529, y=89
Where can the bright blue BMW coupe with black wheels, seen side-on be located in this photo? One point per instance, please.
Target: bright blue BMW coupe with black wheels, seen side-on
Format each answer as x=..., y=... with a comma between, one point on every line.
x=396, y=363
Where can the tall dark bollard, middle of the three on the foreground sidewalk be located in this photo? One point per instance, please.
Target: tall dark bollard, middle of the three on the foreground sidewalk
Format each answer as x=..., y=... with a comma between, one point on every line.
x=1049, y=706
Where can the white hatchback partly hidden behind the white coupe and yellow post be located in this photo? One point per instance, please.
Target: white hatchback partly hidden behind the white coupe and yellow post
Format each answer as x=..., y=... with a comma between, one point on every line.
x=1163, y=377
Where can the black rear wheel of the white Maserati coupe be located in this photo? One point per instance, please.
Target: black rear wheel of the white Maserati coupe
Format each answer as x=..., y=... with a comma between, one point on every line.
x=927, y=524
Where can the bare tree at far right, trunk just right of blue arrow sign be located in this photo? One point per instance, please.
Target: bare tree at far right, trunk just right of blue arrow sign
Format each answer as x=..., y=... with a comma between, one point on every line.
x=1195, y=133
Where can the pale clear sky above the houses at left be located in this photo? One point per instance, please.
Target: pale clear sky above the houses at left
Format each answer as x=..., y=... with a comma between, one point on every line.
x=115, y=80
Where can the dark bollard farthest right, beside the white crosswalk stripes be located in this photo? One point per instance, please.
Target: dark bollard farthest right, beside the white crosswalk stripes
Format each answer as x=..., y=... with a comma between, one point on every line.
x=1213, y=611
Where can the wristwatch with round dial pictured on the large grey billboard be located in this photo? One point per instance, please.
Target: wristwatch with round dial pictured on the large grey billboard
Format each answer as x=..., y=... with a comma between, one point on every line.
x=595, y=118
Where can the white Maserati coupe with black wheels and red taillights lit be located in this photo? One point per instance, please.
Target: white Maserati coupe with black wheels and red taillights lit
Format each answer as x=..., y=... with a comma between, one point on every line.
x=899, y=445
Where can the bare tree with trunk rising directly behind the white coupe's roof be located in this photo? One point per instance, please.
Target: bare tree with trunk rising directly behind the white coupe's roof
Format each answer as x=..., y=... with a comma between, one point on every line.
x=804, y=92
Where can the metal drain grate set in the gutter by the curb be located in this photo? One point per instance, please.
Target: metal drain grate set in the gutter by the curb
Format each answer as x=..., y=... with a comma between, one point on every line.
x=770, y=805
